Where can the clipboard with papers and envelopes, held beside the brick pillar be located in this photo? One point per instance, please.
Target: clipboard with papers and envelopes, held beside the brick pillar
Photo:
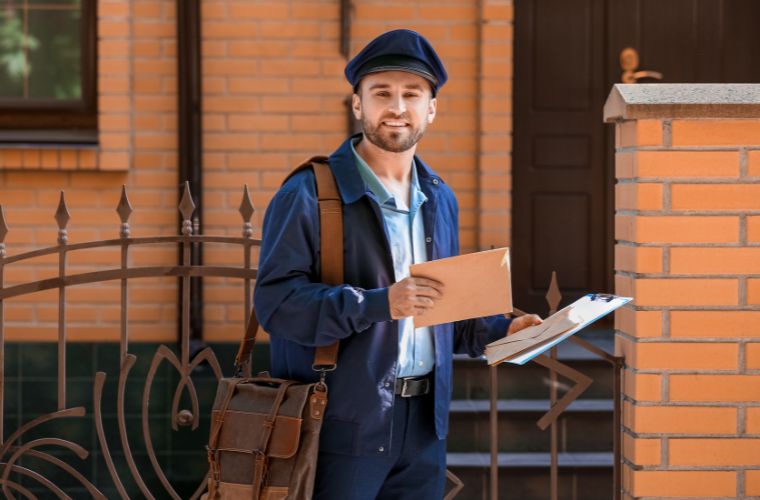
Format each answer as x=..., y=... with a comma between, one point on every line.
x=521, y=347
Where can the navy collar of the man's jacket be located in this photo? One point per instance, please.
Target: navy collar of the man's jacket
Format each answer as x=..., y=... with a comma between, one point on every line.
x=350, y=183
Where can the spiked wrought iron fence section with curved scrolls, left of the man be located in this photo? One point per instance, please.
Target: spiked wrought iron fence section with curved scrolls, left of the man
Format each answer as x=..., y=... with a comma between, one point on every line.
x=117, y=455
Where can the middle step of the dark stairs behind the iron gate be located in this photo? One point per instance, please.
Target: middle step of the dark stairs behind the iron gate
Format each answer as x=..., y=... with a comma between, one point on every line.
x=585, y=426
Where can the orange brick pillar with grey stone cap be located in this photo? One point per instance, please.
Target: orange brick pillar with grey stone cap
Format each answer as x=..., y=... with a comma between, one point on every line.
x=688, y=250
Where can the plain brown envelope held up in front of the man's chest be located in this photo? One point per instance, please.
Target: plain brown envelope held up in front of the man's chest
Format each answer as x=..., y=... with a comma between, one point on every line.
x=476, y=285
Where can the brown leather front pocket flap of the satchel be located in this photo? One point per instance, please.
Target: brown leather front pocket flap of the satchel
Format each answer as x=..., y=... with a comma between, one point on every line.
x=243, y=431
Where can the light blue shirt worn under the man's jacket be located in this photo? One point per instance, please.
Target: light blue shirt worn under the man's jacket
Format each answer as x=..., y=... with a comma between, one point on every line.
x=406, y=233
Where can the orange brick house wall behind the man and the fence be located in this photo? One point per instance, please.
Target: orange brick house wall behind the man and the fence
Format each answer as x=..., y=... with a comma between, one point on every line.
x=273, y=94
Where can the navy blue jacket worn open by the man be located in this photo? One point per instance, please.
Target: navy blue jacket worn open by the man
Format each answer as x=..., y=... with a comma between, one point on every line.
x=299, y=312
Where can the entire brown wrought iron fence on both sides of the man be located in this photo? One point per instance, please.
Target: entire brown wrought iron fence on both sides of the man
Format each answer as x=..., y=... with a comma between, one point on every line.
x=31, y=439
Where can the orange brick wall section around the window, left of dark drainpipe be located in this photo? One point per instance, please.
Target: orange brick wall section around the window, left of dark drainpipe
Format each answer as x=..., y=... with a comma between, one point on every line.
x=137, y=148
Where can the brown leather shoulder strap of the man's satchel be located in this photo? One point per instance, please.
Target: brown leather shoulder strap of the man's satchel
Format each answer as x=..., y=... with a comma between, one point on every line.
x=331, y=260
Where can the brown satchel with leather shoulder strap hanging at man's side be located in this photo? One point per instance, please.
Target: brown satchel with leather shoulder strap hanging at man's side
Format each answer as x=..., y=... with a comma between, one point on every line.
x=264, y=436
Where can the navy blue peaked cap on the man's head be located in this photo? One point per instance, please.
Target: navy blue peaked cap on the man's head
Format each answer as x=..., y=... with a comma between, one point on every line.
x=398, y=50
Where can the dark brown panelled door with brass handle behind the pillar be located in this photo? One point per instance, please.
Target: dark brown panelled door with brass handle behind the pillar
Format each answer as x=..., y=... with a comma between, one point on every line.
x=567, y=57
